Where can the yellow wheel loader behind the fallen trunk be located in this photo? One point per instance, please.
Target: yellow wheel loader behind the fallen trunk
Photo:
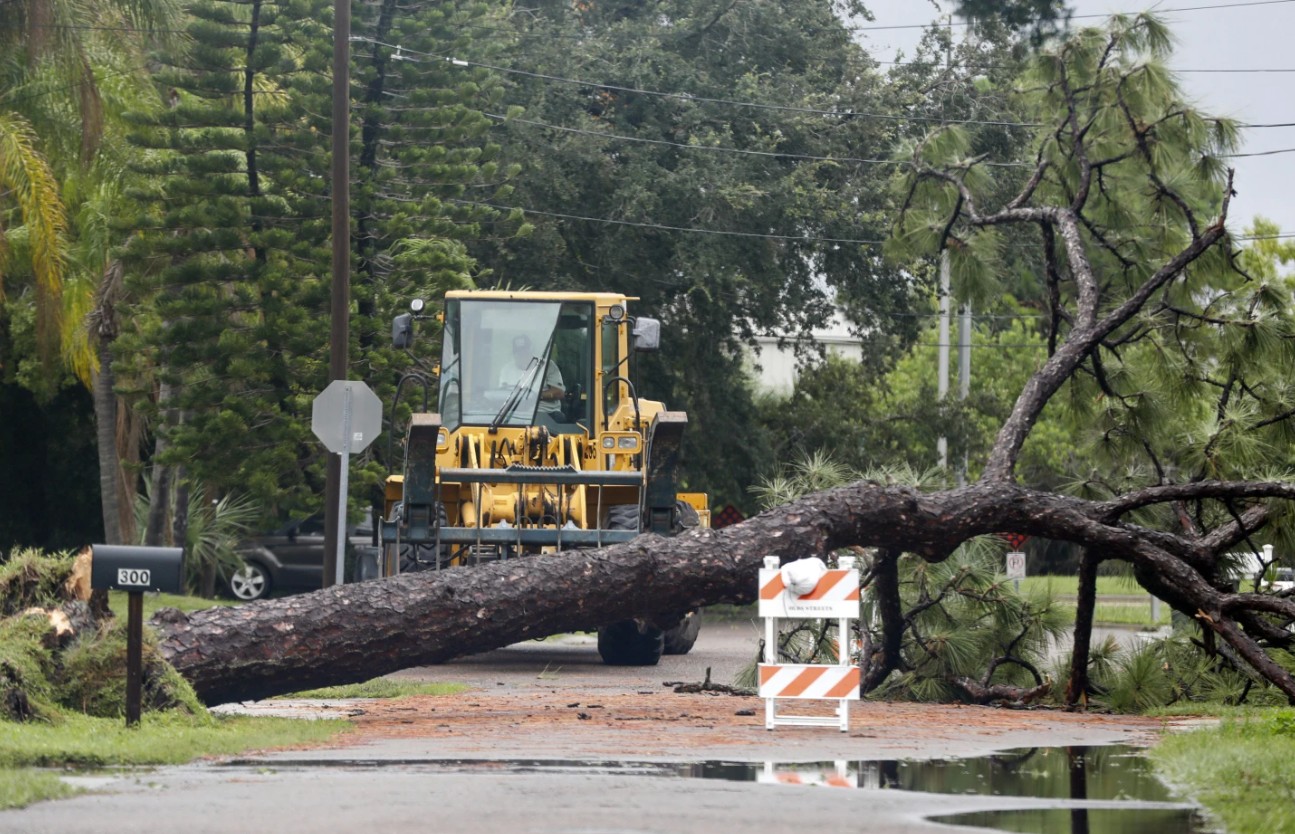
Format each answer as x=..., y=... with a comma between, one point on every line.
x=541, y=445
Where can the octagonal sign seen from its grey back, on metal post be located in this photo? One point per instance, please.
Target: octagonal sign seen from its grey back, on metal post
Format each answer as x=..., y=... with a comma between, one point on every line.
x=346, y=418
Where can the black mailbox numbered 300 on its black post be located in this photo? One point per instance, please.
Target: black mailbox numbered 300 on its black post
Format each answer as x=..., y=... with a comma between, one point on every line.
x=135, y=570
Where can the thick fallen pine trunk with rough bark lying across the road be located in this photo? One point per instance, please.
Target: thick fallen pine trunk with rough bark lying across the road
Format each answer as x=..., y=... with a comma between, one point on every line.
x=354, y=633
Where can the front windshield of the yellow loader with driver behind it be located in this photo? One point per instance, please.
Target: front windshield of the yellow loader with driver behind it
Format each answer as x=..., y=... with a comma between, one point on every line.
x=516, y=363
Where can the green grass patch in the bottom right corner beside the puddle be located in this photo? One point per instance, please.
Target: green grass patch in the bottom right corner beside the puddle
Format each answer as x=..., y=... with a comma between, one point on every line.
x=1243, y=771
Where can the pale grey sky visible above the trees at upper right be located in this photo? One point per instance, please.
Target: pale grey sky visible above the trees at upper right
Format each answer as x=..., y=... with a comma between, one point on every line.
x=1239, y=38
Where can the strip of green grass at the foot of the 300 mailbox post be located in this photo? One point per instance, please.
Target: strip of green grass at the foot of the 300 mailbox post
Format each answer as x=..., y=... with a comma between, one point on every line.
x=161, y=739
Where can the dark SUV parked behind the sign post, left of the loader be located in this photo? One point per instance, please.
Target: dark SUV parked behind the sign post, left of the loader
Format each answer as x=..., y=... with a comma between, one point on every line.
x=292, y=559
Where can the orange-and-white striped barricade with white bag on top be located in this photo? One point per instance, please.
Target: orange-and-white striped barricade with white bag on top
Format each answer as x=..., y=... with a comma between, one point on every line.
x=835, y=598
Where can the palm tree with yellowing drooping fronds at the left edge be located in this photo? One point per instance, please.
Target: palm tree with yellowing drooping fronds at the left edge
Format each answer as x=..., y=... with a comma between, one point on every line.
x=60, y=174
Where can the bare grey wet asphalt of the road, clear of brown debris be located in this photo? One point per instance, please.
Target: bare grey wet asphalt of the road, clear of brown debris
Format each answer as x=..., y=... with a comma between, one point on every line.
x=405, y=785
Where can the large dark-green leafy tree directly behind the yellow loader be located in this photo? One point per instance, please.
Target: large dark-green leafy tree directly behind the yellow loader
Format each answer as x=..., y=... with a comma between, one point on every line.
x=723, y=163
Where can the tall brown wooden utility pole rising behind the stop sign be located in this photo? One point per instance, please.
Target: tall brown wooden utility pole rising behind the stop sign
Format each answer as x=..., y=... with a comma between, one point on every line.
x=340, y=332
